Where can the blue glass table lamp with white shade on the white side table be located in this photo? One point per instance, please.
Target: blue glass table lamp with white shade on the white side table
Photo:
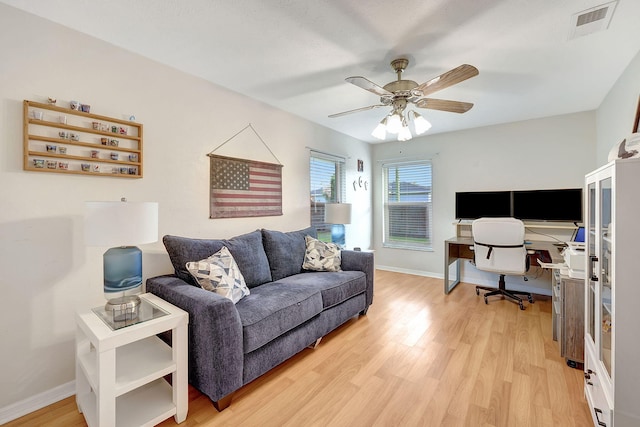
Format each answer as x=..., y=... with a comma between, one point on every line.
x=121, y=225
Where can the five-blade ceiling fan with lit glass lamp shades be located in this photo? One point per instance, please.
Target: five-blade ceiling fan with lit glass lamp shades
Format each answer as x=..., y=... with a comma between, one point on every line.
x=400, y=93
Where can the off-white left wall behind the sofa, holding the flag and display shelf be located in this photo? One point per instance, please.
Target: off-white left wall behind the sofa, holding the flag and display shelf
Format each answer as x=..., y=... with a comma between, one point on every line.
x=46, y=271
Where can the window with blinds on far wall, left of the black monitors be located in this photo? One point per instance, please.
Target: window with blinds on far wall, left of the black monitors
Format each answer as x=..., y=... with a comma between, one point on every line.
x=407, y=205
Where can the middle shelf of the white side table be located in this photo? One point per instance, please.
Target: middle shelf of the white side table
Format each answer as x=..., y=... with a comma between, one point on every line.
x=136, y=364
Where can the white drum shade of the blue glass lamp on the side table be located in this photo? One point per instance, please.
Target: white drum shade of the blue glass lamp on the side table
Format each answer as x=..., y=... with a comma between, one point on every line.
x=120, y=223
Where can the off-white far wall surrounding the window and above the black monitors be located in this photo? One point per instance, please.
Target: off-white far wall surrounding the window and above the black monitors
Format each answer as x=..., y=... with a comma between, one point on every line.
x=553, y=152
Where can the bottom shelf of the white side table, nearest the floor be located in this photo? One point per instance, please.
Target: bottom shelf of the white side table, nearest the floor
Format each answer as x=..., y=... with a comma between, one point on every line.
x=145, y=406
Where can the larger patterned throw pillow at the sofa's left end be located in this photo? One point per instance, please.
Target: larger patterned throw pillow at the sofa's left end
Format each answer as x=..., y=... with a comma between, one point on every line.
x=220, y=274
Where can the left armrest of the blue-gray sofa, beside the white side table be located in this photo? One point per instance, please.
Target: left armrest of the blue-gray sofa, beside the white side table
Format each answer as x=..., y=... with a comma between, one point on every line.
x=215, y=335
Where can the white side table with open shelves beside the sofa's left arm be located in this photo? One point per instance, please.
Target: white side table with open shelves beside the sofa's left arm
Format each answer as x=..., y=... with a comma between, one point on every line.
x=119, y=372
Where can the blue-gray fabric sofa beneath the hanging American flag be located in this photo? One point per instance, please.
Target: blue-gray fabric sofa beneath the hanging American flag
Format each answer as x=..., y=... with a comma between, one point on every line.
x=288, y=309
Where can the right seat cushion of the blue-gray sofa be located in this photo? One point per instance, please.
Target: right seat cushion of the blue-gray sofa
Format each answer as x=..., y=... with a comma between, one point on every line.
x=334, y=287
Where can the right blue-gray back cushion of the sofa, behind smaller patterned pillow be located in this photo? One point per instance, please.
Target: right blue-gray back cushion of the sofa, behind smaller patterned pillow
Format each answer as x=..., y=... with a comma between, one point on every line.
x=285, y=251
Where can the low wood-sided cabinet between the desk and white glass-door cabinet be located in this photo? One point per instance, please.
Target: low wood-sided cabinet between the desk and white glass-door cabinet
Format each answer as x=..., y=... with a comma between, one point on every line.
x=568, y=317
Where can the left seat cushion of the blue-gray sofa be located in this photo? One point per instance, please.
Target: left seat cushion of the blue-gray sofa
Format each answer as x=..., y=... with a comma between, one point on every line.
x=273, y=309
